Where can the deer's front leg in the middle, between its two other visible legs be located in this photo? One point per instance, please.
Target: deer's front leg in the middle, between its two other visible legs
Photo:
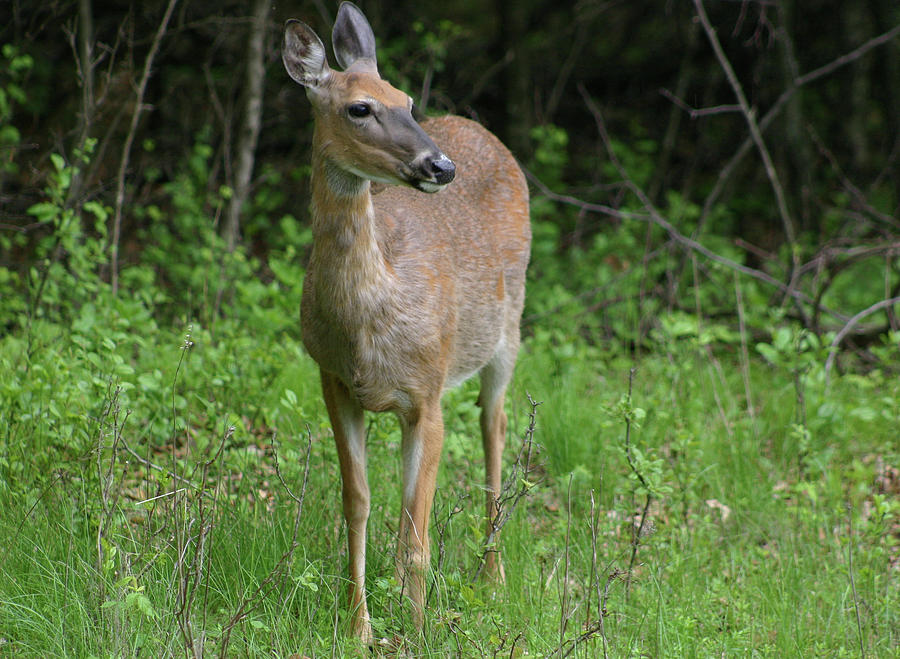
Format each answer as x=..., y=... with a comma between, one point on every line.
x=423, y=439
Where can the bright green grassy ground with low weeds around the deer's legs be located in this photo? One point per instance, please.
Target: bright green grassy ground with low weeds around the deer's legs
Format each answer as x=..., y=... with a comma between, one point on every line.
x=730, y=506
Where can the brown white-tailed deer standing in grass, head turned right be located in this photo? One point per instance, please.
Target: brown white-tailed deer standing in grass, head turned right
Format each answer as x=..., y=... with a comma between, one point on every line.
x=406, y=294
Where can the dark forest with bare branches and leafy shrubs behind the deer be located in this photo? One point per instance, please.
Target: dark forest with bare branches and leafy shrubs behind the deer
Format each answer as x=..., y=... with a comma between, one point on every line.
x=673, y=149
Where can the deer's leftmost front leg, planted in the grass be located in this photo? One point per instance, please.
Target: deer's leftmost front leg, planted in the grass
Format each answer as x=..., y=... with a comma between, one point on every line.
x=347, y=422
